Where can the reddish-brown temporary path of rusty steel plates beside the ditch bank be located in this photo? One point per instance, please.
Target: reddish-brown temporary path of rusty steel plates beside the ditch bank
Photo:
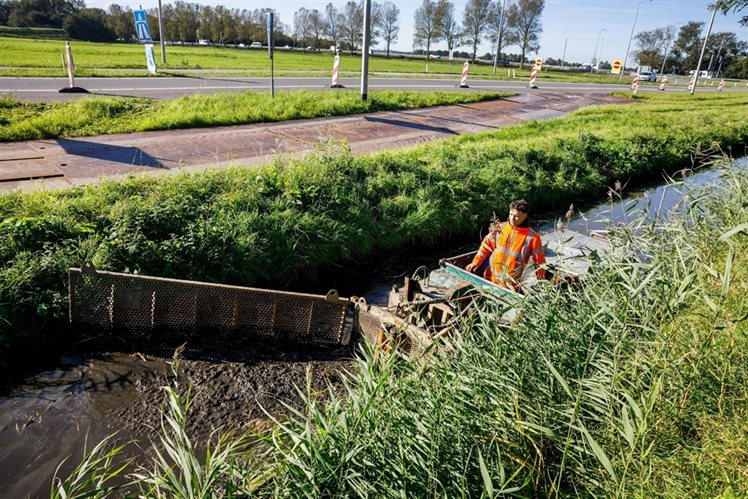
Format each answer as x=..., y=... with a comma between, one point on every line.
x=57, y=163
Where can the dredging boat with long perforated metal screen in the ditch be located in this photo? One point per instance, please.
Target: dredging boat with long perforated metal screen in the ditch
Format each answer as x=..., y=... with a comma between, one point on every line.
x=424, y=306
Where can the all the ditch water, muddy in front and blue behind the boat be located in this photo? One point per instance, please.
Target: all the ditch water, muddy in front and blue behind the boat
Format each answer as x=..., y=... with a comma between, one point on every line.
x=91, y=395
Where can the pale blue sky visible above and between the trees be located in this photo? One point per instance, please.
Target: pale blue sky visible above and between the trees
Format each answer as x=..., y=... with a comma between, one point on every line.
x=579, y=25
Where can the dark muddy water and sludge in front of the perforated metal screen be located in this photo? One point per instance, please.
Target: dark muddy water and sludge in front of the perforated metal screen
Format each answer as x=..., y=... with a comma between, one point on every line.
x=51, y=416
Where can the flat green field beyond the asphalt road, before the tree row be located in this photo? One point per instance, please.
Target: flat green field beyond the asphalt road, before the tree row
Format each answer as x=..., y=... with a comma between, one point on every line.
x=41, y=57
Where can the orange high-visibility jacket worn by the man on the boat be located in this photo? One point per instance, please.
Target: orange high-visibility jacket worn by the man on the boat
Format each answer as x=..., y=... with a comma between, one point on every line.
x=509, y=257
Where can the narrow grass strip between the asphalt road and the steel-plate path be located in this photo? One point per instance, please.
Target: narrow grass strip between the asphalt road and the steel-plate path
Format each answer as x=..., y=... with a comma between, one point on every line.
x=102, y=115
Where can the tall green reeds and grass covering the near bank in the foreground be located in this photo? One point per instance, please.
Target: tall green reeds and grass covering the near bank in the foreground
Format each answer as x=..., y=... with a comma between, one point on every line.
x=635, y=385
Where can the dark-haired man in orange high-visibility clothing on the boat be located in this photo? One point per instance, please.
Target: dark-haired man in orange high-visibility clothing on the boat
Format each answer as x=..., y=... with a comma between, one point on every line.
x=509, y=248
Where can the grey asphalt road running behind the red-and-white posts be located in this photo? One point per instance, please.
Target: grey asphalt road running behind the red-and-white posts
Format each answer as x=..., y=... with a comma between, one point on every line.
x=47, y=89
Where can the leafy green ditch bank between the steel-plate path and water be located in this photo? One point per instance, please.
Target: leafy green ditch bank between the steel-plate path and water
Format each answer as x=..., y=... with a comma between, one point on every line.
x=302, y=217
